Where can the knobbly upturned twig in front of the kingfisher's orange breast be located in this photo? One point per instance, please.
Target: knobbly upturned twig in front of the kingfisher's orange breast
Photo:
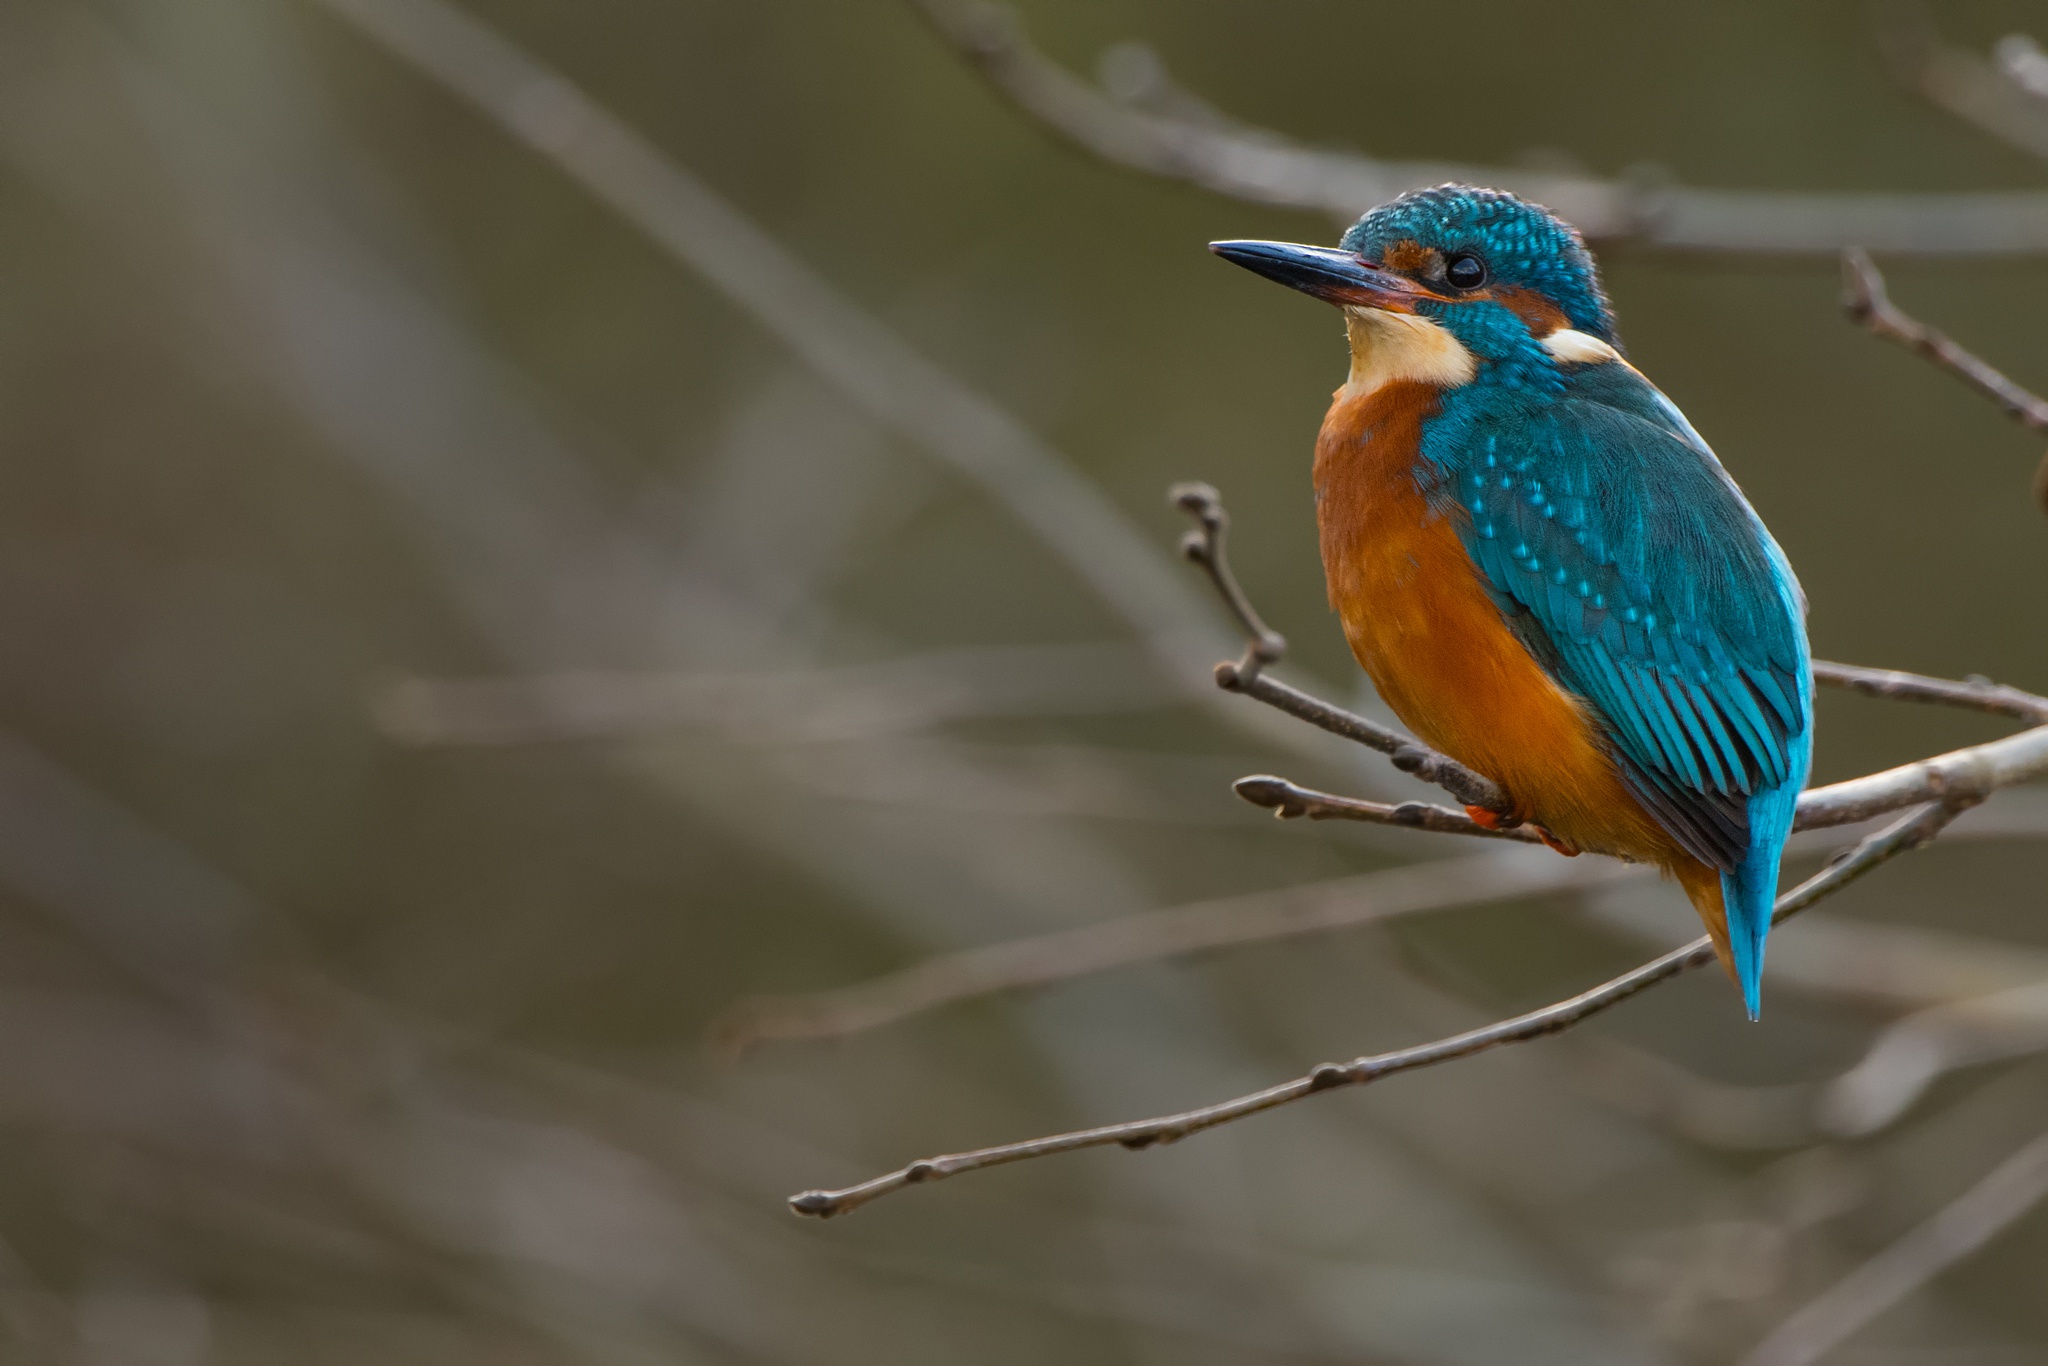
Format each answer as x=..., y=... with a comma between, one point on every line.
x=1207, y=548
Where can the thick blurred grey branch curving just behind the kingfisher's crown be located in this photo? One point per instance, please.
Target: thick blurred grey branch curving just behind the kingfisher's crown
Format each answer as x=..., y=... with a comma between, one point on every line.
x=1263, y=167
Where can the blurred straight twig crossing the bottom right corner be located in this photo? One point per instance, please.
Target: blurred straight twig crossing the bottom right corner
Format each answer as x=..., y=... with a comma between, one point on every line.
x=1965, y=1226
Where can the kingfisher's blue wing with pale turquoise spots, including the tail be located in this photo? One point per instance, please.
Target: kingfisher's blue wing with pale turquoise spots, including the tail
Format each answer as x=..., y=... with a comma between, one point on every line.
x=1635, y=572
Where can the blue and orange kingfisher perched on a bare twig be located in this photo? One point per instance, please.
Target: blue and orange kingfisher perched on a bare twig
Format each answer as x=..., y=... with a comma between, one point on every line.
x=1539, y=562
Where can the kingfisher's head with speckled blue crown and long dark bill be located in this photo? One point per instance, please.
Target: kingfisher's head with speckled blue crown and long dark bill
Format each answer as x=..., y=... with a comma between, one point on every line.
x=1488, y=269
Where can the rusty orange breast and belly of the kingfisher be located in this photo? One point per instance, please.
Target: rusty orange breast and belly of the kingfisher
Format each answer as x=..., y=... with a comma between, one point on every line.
x=1420, y=622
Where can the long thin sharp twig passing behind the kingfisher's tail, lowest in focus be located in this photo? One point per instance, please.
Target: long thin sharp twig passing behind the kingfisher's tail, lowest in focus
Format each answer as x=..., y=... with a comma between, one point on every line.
x=1897, y=839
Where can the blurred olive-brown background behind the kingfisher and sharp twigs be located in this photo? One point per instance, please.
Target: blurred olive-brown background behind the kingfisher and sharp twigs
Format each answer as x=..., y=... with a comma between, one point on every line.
x=458, y=650
